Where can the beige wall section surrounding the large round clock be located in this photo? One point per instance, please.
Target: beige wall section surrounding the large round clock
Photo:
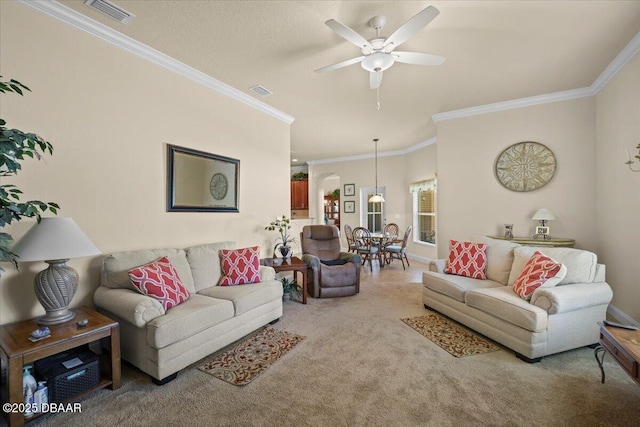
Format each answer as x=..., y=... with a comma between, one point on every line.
x=470, y=199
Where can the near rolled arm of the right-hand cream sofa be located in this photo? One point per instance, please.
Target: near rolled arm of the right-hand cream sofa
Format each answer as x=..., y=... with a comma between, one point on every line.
x=566, y=298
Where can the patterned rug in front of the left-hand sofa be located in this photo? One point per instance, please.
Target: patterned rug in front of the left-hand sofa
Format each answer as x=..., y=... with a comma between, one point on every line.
x=244, y=362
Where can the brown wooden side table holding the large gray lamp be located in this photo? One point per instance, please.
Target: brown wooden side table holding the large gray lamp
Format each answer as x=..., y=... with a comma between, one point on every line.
x=16, y=351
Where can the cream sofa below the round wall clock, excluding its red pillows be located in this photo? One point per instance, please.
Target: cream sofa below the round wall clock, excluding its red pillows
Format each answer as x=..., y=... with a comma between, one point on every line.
x=556, y=319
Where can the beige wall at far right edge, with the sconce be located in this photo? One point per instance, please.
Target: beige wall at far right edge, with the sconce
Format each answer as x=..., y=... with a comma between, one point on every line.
x=618, y=189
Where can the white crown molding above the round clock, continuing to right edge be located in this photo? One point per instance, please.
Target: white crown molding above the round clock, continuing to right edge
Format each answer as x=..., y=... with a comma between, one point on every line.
x=626, y=54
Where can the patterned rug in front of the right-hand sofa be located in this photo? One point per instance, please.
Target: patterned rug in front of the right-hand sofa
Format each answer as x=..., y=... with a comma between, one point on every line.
x=452, y=338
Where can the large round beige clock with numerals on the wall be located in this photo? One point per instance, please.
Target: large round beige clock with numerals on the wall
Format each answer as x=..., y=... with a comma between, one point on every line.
x=525, y=166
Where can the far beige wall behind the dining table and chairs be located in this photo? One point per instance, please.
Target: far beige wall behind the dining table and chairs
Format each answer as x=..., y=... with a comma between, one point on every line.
x=395, y=173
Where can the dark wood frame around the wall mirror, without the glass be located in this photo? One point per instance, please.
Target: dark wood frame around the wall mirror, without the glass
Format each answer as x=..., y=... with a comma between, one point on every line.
x=233, y=183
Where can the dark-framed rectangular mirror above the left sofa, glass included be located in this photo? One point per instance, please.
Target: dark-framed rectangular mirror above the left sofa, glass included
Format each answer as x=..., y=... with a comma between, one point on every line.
x=201, y=182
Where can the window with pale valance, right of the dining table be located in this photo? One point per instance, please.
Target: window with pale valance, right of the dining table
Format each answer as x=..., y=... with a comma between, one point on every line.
x=424, y=210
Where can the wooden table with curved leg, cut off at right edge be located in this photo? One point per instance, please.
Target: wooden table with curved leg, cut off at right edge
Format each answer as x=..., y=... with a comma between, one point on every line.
x=624, y=346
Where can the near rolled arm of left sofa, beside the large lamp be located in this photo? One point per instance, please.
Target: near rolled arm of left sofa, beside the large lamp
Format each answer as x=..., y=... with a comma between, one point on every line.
x=135, y=308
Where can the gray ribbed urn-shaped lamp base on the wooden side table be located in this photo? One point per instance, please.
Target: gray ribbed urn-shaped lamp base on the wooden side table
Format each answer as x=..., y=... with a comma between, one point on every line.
x=55, y=288
